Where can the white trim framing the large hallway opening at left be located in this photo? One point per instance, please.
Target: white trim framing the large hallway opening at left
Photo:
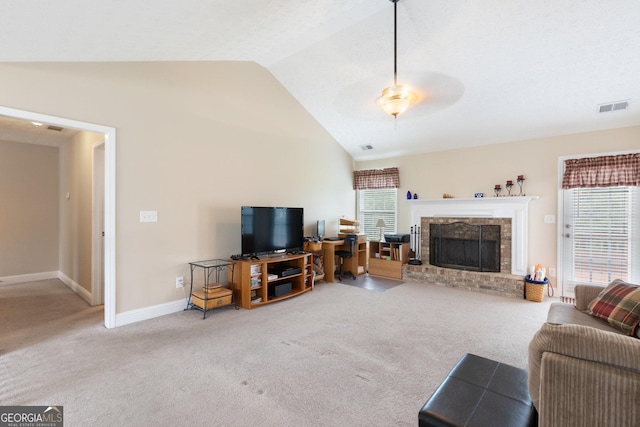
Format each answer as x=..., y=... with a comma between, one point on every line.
x=109, y=196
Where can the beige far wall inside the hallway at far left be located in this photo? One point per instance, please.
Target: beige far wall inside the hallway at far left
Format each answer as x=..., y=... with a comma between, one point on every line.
x=29, y=212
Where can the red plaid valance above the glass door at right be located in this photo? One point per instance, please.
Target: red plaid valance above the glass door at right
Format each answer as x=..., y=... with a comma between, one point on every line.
x=604, y=171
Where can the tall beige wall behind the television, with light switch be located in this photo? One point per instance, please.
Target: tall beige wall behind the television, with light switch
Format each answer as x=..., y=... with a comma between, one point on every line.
x=195, y=141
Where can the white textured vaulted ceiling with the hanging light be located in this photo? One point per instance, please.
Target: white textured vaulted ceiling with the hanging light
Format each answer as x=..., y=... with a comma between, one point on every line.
x=486, y=71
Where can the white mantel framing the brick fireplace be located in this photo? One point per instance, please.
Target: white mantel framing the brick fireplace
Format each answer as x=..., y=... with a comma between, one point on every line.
x=515, y=208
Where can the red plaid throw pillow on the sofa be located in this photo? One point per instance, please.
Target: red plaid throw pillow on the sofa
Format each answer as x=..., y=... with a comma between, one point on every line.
x=618, y=304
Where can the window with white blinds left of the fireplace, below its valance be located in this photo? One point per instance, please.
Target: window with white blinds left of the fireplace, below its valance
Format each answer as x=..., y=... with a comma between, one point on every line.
x=374, y=205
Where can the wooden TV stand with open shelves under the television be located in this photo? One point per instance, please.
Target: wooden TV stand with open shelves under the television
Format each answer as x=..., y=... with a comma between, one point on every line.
x=254, y=286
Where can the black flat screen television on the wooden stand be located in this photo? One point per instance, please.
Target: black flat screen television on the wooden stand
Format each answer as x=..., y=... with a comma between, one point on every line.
x=271, y=229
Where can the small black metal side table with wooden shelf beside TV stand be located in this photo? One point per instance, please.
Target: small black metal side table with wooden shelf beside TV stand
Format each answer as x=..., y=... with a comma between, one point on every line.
x=209, y=298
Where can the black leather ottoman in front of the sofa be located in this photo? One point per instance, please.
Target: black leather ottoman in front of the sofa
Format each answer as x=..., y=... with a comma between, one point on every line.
x=480, y=392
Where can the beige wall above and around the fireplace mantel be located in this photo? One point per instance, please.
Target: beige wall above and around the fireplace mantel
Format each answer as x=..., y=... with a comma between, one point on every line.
x=465, y=172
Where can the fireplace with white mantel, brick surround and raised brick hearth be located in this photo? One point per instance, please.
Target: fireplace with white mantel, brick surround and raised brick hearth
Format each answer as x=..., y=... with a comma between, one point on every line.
x=509, y=213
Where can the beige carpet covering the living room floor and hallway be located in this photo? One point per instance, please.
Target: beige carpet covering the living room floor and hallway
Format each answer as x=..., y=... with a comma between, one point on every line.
x=338, y=356
